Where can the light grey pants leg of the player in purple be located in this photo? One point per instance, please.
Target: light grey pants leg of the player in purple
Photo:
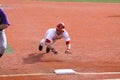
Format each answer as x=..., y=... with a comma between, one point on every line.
x=3, y=43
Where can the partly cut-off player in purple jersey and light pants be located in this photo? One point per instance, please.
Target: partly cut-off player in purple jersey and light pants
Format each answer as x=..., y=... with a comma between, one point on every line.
x=4, y=23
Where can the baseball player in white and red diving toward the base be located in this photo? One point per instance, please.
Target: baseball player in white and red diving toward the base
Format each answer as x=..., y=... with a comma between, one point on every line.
x=54, y=34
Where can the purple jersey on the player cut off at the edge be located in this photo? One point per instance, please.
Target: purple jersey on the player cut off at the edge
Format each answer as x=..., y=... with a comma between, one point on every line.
x=3, y=18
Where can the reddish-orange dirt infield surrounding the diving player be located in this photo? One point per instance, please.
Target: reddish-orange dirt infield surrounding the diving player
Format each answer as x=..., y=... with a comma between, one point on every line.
x=94, y=29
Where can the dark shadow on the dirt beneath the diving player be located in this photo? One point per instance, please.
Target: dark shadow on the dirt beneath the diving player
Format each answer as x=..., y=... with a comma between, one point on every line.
x=37, y=57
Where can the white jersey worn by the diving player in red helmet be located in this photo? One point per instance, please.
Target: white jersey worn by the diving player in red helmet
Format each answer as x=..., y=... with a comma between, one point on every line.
x=52, y=35
